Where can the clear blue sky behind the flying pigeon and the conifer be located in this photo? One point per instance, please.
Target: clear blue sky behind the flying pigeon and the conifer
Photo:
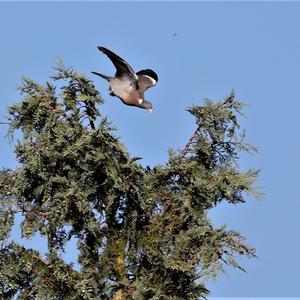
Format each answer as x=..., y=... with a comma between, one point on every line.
x=198, y=50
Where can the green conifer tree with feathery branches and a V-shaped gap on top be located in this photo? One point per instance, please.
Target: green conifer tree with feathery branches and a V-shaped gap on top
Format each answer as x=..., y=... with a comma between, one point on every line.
x=142, y=233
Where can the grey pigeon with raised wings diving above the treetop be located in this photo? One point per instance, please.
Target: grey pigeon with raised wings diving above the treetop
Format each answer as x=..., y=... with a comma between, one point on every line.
x=128, y=85
